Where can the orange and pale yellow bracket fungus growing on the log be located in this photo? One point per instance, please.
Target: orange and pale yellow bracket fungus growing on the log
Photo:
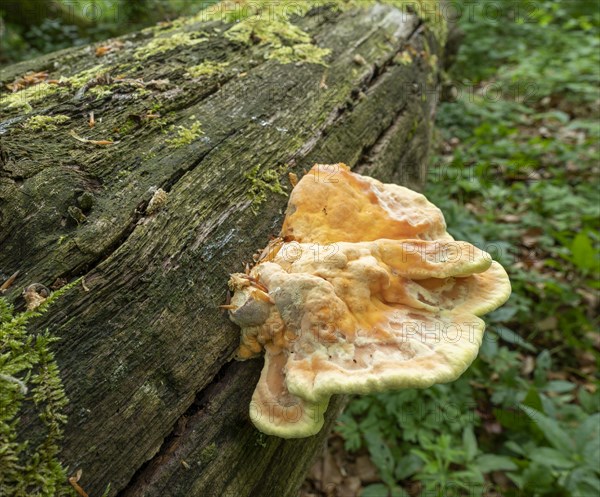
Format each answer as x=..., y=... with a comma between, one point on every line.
x=364, y=291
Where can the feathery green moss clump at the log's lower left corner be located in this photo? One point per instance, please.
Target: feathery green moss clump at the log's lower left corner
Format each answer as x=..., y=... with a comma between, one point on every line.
x=28, y=373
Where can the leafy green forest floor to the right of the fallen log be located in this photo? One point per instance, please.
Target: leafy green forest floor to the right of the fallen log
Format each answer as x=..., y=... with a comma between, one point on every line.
x=516, y=172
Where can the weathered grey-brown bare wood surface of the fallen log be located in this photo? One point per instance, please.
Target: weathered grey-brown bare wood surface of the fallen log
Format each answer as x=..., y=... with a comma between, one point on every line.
x=157, y=406
